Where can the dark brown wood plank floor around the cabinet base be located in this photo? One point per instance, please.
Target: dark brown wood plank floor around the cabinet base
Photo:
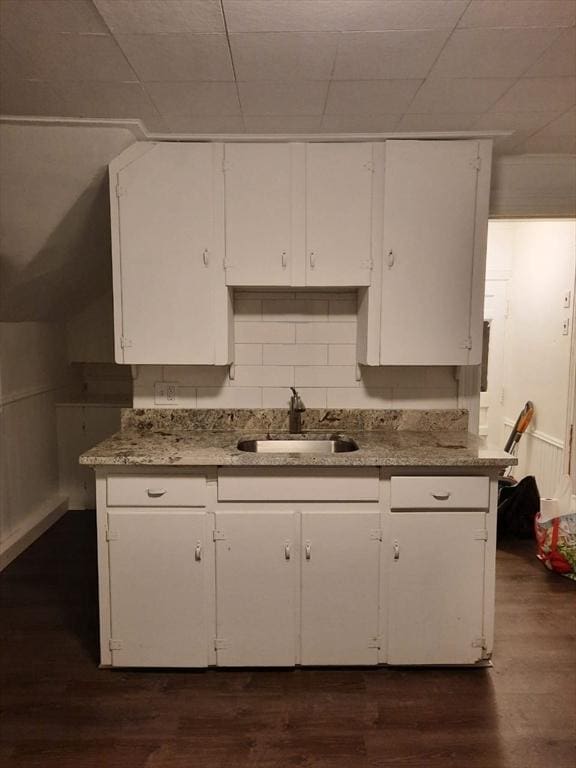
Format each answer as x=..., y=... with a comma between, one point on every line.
x=60, y=709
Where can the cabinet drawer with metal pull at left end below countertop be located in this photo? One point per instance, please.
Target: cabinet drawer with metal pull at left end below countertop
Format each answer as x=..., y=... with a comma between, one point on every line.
x=156, y=491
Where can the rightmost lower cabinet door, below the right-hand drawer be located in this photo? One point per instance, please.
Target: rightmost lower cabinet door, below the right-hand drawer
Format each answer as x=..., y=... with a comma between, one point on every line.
x=436, y=581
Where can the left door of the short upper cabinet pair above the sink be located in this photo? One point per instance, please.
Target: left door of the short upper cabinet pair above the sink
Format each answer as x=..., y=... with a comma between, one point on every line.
x=258, y=214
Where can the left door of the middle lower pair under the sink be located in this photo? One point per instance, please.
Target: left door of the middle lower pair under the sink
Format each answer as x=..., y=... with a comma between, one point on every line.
x=256, y=589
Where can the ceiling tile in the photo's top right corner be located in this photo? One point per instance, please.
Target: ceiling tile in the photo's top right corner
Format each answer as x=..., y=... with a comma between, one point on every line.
x=519, y=13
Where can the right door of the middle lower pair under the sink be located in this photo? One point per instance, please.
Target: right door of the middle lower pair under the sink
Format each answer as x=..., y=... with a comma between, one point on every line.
x=340, y=577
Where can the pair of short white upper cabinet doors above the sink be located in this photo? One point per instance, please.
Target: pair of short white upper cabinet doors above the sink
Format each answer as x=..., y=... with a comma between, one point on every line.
x=299, y=214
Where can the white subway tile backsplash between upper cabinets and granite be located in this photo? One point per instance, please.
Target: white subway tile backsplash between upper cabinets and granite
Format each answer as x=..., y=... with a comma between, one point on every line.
x=299, y=338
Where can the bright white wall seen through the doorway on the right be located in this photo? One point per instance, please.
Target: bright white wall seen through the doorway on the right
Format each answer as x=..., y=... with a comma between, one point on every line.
x=540, y=257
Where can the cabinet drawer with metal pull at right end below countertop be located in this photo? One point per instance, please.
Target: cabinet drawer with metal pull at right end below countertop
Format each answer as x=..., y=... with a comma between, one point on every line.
x=439, y=492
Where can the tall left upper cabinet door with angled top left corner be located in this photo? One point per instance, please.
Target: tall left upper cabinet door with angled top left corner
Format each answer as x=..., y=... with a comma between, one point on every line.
x=167, y=260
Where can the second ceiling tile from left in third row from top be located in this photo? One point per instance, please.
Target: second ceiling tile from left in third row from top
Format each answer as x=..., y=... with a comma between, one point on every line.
x=114, y=100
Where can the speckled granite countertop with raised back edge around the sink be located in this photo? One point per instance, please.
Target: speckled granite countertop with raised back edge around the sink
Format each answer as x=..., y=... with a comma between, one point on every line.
x=209, y=438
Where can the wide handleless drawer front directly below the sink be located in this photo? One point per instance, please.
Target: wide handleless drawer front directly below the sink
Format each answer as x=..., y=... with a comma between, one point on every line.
x=326, y=484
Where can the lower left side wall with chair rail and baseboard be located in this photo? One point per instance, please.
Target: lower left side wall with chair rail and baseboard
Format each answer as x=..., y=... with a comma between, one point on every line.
x=32, y=370
